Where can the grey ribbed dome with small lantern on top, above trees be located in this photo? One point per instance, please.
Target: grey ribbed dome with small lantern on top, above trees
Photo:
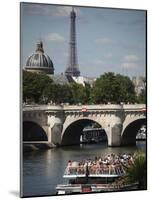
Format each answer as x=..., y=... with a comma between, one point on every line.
x=39, y=61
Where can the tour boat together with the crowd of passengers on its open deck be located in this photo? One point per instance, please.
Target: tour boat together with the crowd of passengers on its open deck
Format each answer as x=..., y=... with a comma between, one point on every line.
x=96, y=175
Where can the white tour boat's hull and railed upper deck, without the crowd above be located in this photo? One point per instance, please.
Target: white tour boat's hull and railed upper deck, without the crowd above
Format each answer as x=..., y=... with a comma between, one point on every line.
x=87, y=180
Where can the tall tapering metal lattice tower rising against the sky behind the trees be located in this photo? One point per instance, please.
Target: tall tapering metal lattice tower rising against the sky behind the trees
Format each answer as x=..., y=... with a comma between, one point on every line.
x=72, y=69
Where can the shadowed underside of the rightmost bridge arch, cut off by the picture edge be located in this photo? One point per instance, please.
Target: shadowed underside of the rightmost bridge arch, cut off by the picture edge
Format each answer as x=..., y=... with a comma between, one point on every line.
x=129, y=133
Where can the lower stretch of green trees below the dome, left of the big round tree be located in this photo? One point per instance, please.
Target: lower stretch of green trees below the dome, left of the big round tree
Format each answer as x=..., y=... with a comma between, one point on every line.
x=39, y=88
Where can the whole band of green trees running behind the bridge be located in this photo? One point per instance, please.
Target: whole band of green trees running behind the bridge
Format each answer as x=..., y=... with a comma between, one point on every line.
x=40, y=88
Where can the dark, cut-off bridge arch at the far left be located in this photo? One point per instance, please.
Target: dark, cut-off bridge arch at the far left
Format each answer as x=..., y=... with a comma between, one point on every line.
x=32, y=131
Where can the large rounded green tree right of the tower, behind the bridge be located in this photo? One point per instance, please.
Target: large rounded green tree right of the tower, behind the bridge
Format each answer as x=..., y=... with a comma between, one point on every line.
x=113, y=88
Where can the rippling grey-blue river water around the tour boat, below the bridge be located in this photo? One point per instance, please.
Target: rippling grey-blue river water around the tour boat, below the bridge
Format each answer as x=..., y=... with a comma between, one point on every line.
x=43, y=169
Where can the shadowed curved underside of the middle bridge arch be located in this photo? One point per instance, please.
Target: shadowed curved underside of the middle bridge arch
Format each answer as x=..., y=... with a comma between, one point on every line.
x=72, y=132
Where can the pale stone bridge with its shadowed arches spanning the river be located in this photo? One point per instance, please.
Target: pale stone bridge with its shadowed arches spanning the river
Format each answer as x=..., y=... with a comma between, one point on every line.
x=63, y=125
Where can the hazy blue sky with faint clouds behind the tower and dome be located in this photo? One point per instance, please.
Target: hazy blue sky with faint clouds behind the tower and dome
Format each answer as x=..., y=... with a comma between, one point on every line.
x=107, y=39
